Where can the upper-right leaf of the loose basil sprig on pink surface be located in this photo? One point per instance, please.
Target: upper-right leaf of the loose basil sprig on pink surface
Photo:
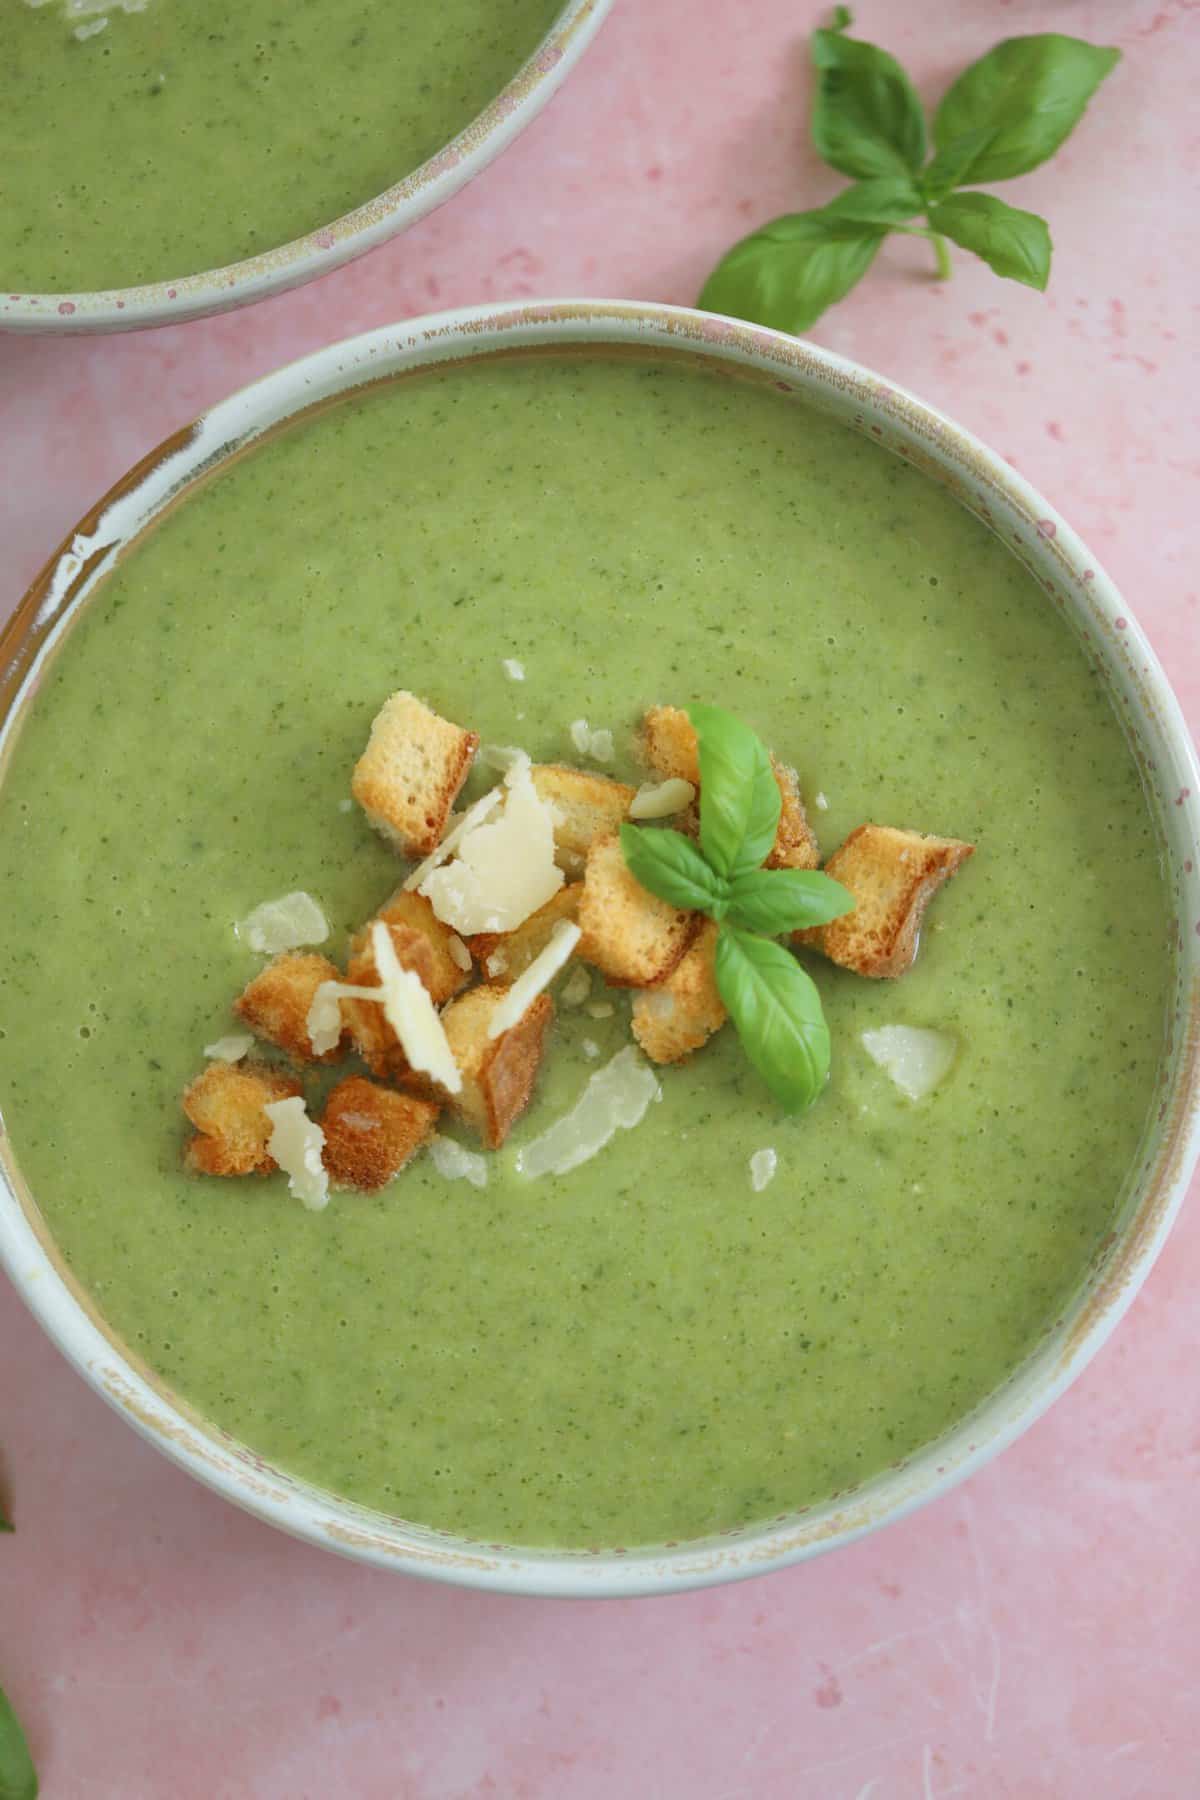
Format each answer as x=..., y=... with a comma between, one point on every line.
x=1030, y=94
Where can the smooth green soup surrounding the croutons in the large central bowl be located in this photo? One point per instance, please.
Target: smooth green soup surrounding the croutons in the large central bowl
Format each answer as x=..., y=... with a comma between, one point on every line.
x=645, y=1349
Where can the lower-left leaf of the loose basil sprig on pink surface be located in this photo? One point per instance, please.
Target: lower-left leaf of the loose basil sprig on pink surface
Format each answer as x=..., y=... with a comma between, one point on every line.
x=791, y=271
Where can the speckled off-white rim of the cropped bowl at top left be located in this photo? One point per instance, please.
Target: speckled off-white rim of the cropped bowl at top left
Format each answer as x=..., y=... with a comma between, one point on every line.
x=289, y=265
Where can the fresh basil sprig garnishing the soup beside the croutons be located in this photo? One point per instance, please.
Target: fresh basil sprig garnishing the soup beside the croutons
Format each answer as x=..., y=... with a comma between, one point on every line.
x=773, y=1002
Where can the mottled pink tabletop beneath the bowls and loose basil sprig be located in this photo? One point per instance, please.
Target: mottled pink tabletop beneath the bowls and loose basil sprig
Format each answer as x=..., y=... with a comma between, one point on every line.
x=1037, y=1633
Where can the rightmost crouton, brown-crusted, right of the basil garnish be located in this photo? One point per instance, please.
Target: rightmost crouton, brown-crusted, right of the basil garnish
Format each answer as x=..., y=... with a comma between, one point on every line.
x=893, y=877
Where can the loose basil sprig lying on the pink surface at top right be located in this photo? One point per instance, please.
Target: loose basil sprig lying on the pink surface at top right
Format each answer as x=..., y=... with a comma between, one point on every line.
x=1005, y=116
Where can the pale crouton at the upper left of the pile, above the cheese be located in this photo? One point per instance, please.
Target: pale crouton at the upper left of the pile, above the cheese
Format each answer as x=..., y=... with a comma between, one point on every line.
x=411, y=773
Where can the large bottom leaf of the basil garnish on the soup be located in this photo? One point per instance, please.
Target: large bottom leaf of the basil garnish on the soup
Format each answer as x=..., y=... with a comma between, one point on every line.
x=778, y=1014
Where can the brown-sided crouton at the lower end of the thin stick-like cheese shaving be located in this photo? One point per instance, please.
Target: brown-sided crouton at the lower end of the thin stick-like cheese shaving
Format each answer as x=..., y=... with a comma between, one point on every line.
x=497, y=1072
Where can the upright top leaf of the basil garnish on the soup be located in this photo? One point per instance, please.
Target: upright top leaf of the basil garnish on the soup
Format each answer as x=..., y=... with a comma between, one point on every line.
x=740, y=798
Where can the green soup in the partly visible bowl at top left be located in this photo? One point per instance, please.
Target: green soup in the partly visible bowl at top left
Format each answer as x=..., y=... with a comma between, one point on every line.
x=199, y=132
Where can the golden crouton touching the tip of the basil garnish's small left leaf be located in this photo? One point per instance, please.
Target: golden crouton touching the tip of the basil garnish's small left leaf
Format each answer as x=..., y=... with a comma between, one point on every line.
x=631, y=935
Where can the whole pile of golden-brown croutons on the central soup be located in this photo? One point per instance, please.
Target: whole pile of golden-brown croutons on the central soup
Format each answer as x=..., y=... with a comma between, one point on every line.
x=407, y=782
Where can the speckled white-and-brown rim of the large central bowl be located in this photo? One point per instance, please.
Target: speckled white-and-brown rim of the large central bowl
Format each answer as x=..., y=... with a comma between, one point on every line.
x=1073, y=584
